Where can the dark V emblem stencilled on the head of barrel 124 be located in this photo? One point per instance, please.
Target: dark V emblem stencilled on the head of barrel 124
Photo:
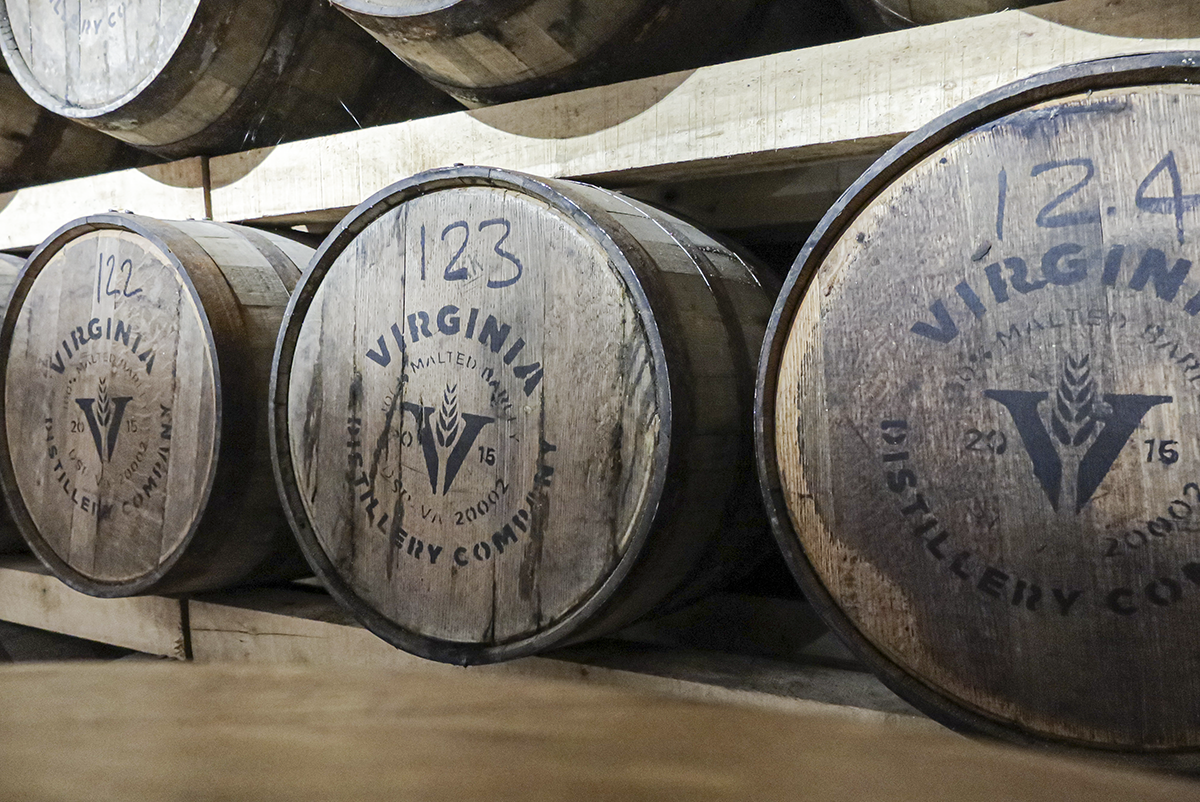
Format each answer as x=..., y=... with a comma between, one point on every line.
x=1097, y=460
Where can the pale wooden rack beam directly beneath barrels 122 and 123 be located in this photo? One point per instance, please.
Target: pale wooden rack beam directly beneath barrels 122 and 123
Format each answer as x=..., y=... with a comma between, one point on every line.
x=303, y=625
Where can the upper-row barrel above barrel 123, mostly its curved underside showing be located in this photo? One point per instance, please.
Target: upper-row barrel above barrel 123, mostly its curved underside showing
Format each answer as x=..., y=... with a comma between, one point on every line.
x=499, y=51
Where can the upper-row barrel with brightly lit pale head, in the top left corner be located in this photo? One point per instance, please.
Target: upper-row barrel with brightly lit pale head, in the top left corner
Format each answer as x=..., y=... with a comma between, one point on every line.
x=207, y=76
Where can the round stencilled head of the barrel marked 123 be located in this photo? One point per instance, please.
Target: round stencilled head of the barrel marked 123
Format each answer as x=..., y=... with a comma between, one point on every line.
x=471, y=426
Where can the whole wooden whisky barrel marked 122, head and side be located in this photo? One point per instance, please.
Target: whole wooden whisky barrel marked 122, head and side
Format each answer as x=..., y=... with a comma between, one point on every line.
x=134, y=373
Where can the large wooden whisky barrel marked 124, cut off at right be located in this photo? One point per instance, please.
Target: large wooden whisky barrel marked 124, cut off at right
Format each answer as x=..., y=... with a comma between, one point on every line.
x=976, y=412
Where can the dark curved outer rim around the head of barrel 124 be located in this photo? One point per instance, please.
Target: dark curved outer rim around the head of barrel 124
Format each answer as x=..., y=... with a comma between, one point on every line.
x=1102, y=74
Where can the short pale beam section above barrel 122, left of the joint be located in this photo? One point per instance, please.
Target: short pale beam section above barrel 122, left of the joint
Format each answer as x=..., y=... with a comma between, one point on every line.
x=175, y=191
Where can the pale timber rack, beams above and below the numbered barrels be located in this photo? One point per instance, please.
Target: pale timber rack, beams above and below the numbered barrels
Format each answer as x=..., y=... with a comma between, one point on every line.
x=741, y=147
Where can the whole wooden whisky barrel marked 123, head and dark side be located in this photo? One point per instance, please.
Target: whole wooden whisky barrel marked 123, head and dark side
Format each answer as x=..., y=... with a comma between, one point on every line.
x=512, y=414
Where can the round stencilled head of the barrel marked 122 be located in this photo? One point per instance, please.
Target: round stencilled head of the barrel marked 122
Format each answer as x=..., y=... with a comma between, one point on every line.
x=112, y=408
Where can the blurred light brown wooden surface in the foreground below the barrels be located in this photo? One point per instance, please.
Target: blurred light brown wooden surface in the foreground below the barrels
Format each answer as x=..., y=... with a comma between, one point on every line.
x=154, y=732
